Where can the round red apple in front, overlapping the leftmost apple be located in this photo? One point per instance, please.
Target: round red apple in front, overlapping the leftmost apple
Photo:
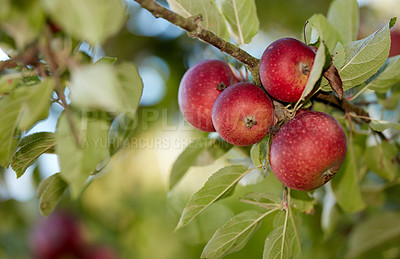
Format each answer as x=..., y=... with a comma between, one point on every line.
x=242, y=114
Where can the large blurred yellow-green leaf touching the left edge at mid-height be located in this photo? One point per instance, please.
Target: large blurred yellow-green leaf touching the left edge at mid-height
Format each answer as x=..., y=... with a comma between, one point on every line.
x=20, y=110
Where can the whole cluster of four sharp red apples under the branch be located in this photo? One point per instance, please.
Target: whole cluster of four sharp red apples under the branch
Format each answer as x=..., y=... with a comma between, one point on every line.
x=307, y=150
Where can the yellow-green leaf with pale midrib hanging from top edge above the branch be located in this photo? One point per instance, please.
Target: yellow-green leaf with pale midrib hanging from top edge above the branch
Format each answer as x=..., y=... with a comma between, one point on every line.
x=242, y=19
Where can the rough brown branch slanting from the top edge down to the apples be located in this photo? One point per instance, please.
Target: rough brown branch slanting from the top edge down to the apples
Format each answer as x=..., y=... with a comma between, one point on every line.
x=195, y=30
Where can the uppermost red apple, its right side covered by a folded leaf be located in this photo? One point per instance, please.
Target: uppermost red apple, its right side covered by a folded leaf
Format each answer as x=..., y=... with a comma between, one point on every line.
x=285, y=67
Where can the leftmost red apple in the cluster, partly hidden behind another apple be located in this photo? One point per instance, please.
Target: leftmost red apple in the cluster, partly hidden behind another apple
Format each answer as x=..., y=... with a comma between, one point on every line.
x=199, y=87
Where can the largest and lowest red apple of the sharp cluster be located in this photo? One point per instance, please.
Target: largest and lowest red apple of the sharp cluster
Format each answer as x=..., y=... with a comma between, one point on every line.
x=308, y=150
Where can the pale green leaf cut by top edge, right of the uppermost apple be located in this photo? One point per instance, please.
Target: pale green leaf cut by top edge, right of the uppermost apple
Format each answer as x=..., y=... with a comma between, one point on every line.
x=344, y=16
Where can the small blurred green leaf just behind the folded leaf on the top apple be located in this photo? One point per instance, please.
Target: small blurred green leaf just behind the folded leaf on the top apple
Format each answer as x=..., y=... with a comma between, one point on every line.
x=326, y=31
